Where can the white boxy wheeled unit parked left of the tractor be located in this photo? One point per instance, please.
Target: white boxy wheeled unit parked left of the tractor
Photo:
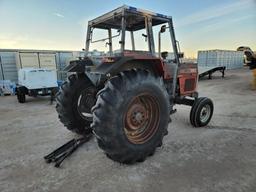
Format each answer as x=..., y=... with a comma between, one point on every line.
x=35, y=81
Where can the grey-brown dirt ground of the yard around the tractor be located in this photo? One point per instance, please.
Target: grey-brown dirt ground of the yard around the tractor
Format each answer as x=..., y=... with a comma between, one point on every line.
x=220, y=157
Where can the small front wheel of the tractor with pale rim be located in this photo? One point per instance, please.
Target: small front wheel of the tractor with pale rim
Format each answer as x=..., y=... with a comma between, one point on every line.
x=201, y=112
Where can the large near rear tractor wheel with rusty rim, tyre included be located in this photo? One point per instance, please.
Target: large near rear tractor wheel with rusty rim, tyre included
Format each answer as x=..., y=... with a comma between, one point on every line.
x=131, y=116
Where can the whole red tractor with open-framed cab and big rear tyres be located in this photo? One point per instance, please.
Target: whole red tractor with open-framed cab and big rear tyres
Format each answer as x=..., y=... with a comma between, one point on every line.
x=126, y=97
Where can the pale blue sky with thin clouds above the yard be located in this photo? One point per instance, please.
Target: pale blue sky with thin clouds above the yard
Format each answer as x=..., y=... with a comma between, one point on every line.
x=55, y=24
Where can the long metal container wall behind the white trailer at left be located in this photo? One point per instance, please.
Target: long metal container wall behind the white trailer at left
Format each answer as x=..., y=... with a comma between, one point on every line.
x=10, y=61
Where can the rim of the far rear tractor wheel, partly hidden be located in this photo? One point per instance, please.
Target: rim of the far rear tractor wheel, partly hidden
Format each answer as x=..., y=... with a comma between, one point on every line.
x=85, y=102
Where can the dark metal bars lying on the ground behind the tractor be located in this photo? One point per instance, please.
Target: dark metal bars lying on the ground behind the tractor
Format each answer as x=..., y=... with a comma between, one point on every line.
x=61, y=153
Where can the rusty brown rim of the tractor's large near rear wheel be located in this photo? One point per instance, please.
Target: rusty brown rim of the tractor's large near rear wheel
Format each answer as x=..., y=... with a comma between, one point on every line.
x=141, y=119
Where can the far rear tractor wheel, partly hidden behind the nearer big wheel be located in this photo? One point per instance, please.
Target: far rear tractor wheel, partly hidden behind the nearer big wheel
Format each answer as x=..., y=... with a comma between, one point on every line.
x=74, y=102
